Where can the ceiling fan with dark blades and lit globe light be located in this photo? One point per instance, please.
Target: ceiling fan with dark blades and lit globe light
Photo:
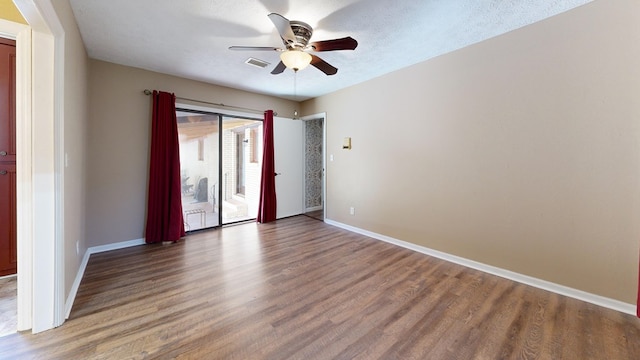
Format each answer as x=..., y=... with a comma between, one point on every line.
x=295, y=35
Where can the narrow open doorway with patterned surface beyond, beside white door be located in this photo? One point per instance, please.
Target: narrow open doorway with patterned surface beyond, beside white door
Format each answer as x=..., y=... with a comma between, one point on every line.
x=314, y=168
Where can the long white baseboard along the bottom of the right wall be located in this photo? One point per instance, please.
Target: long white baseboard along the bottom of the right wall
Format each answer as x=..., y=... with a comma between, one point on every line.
x=524, y=279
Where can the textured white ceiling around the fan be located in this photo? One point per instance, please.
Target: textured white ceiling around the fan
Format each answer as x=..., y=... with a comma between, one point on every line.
x=190, y=38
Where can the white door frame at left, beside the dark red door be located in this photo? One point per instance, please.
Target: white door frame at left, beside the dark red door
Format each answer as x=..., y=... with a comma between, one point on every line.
x=39, y=119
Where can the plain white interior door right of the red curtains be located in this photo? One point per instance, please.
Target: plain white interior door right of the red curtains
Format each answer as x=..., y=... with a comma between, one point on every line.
x=289, y=160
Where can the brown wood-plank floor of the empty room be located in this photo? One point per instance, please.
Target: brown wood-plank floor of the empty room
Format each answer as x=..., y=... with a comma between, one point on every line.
x=301, y=289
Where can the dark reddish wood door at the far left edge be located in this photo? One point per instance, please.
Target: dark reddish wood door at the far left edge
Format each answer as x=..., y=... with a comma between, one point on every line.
x=8, y=253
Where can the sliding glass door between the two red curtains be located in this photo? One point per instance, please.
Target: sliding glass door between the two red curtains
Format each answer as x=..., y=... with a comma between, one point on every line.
x=220, y=161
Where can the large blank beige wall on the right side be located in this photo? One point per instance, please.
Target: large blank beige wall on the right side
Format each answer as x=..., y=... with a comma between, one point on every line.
x=522, y=152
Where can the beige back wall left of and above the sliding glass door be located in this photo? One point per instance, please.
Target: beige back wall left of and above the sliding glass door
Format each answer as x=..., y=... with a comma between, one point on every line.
x=118, y=136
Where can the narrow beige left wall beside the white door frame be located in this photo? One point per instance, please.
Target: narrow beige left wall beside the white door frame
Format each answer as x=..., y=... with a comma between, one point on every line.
x=74, y=141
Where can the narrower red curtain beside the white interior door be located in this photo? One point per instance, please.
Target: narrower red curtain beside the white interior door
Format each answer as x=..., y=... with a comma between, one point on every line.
x=267, y=205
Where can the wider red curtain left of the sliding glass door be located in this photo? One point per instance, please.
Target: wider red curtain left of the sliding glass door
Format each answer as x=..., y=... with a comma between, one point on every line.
x=164, y=206
